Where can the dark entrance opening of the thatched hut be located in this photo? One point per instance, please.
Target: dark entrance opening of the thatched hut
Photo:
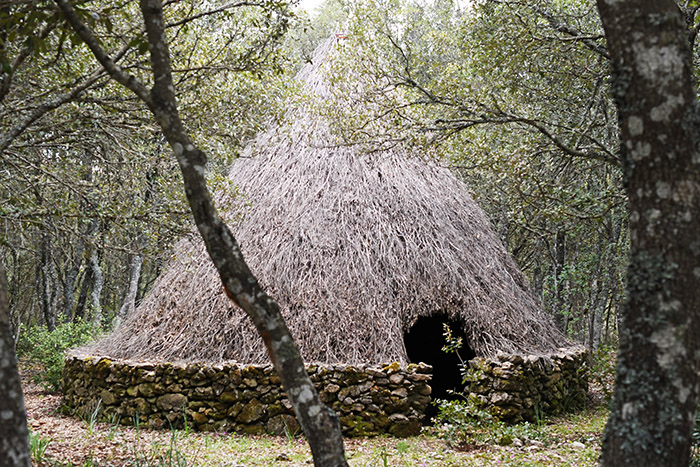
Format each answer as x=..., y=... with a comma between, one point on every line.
x=424, y=342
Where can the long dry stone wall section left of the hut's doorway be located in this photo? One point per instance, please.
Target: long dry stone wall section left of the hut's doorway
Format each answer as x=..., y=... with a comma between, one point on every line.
x=369, y=399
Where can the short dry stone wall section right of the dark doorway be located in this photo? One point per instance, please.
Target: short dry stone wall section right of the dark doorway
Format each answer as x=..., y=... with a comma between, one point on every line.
x=516, y=388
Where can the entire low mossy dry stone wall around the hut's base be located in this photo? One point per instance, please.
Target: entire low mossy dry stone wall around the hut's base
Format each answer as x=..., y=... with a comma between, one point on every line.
x=369, y=399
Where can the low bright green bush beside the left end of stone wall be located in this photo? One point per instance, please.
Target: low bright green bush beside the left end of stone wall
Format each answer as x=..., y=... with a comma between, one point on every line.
x=46, y=349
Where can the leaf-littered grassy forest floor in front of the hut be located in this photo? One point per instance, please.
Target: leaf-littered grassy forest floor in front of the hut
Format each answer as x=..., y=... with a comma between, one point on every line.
x=60, y=440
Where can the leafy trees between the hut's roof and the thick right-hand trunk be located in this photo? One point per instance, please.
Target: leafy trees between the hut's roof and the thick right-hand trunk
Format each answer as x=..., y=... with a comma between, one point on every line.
x=525, y=117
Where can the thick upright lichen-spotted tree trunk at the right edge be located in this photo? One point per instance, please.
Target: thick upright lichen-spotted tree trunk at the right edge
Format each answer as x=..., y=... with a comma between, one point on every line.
x=656, y=390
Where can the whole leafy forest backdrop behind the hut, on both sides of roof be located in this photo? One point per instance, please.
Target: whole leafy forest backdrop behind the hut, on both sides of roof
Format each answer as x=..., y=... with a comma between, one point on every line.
x=513, y=96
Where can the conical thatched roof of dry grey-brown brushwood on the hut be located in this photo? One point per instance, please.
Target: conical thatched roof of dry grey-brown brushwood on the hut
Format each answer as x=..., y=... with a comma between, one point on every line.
x=353, y=246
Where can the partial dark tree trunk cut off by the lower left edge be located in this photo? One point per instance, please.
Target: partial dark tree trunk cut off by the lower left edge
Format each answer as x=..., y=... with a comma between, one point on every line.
x=14, y=435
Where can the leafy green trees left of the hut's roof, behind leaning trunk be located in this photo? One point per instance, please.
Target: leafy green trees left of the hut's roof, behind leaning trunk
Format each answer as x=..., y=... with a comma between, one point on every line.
x=95, y=174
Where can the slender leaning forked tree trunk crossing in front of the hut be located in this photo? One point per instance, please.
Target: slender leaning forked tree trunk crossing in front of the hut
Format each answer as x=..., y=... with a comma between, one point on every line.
x=319, y=423
